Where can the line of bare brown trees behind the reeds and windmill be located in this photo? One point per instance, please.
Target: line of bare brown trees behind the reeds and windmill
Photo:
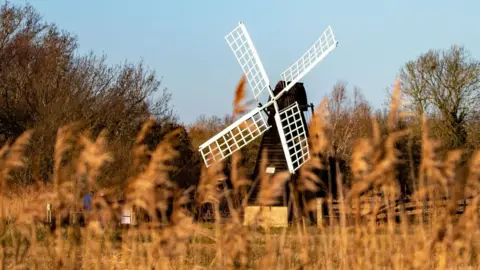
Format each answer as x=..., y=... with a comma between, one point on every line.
x=45, y=84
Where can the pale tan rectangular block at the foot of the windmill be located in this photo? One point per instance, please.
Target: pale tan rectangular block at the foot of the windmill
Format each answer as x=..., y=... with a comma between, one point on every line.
x=271, y=216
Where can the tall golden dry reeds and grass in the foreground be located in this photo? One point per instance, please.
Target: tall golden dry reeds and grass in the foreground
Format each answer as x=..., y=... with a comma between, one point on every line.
x=440, y=240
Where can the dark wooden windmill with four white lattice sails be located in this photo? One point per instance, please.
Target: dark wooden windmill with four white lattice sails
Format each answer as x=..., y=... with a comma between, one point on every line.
x=280, y=120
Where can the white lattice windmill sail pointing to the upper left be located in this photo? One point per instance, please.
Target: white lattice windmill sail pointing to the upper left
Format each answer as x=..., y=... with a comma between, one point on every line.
x=242, y=46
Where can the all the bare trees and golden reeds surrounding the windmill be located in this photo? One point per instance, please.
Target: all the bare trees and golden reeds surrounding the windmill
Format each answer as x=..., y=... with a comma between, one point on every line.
x=70, y=123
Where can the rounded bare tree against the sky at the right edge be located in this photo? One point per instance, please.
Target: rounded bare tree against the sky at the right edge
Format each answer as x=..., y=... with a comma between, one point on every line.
x=444, y=83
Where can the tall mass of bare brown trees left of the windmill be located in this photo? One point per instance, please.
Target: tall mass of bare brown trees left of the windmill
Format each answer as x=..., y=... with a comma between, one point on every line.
x=45, y=84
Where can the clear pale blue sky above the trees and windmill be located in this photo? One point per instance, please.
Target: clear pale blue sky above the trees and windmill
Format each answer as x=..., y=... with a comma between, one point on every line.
x=183, y=40
